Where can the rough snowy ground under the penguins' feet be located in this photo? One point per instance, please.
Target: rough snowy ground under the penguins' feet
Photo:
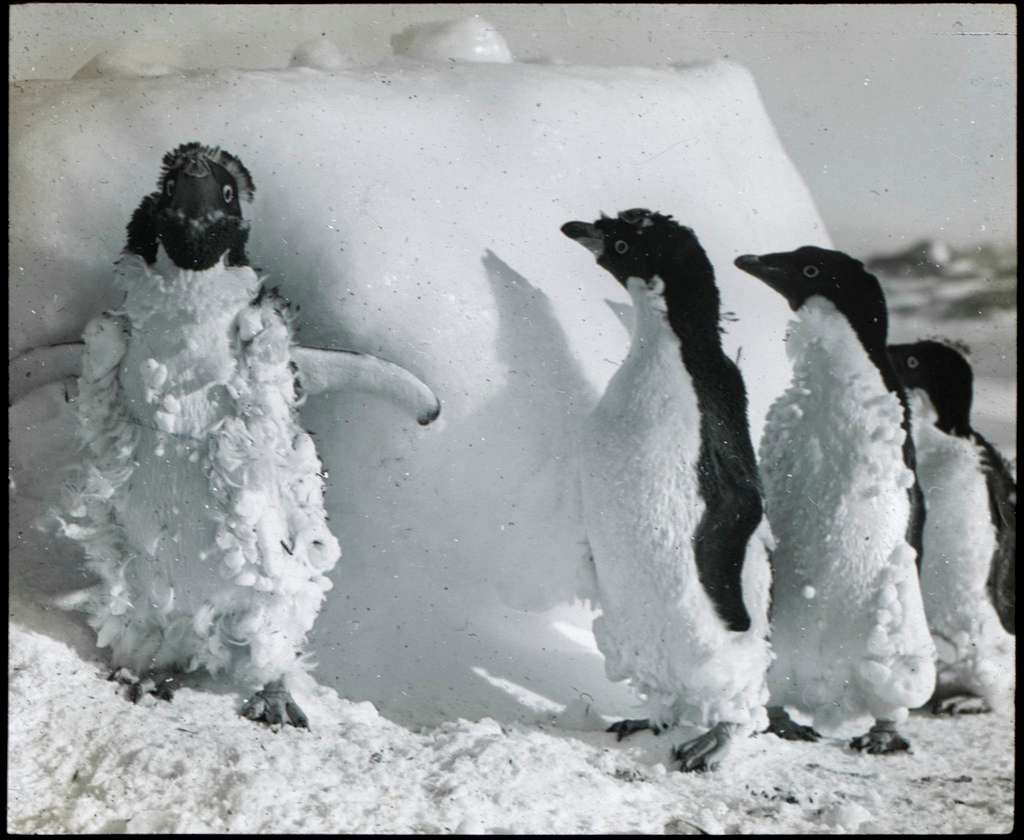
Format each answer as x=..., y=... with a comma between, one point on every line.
x=82, y=761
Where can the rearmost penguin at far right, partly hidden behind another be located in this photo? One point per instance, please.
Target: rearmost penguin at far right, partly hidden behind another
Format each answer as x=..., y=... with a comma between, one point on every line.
x=970, y=543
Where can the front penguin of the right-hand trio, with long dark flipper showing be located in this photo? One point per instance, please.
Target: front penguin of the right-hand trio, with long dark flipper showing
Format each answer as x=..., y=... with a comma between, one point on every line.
x=672, y=500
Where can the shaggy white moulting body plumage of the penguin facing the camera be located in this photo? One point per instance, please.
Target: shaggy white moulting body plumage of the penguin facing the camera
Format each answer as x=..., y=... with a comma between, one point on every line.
x=201, y=510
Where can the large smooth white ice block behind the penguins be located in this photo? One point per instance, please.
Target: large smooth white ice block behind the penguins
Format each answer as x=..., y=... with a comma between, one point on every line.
x=414, y=213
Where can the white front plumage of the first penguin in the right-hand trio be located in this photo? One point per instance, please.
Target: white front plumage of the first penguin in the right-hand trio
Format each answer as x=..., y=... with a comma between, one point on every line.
x=642, y=505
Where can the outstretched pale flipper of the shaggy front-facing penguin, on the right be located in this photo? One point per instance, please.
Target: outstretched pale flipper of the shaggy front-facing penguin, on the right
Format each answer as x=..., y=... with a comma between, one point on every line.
x=323, y=370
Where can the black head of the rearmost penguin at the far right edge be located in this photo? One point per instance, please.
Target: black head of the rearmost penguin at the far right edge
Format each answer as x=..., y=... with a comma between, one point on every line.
x=945, y=374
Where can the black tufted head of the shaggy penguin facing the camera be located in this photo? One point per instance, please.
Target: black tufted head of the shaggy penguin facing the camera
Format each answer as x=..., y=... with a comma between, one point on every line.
x=198, y=215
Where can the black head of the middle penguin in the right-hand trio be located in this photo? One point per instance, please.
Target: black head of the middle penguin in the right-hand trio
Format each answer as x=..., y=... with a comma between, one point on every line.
x=810, y=272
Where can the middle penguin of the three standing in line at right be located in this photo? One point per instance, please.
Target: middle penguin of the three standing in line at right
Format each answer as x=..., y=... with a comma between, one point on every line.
x=837, y=457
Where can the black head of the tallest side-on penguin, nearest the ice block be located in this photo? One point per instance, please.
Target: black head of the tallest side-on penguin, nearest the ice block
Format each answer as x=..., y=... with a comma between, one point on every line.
x=638, y=244
